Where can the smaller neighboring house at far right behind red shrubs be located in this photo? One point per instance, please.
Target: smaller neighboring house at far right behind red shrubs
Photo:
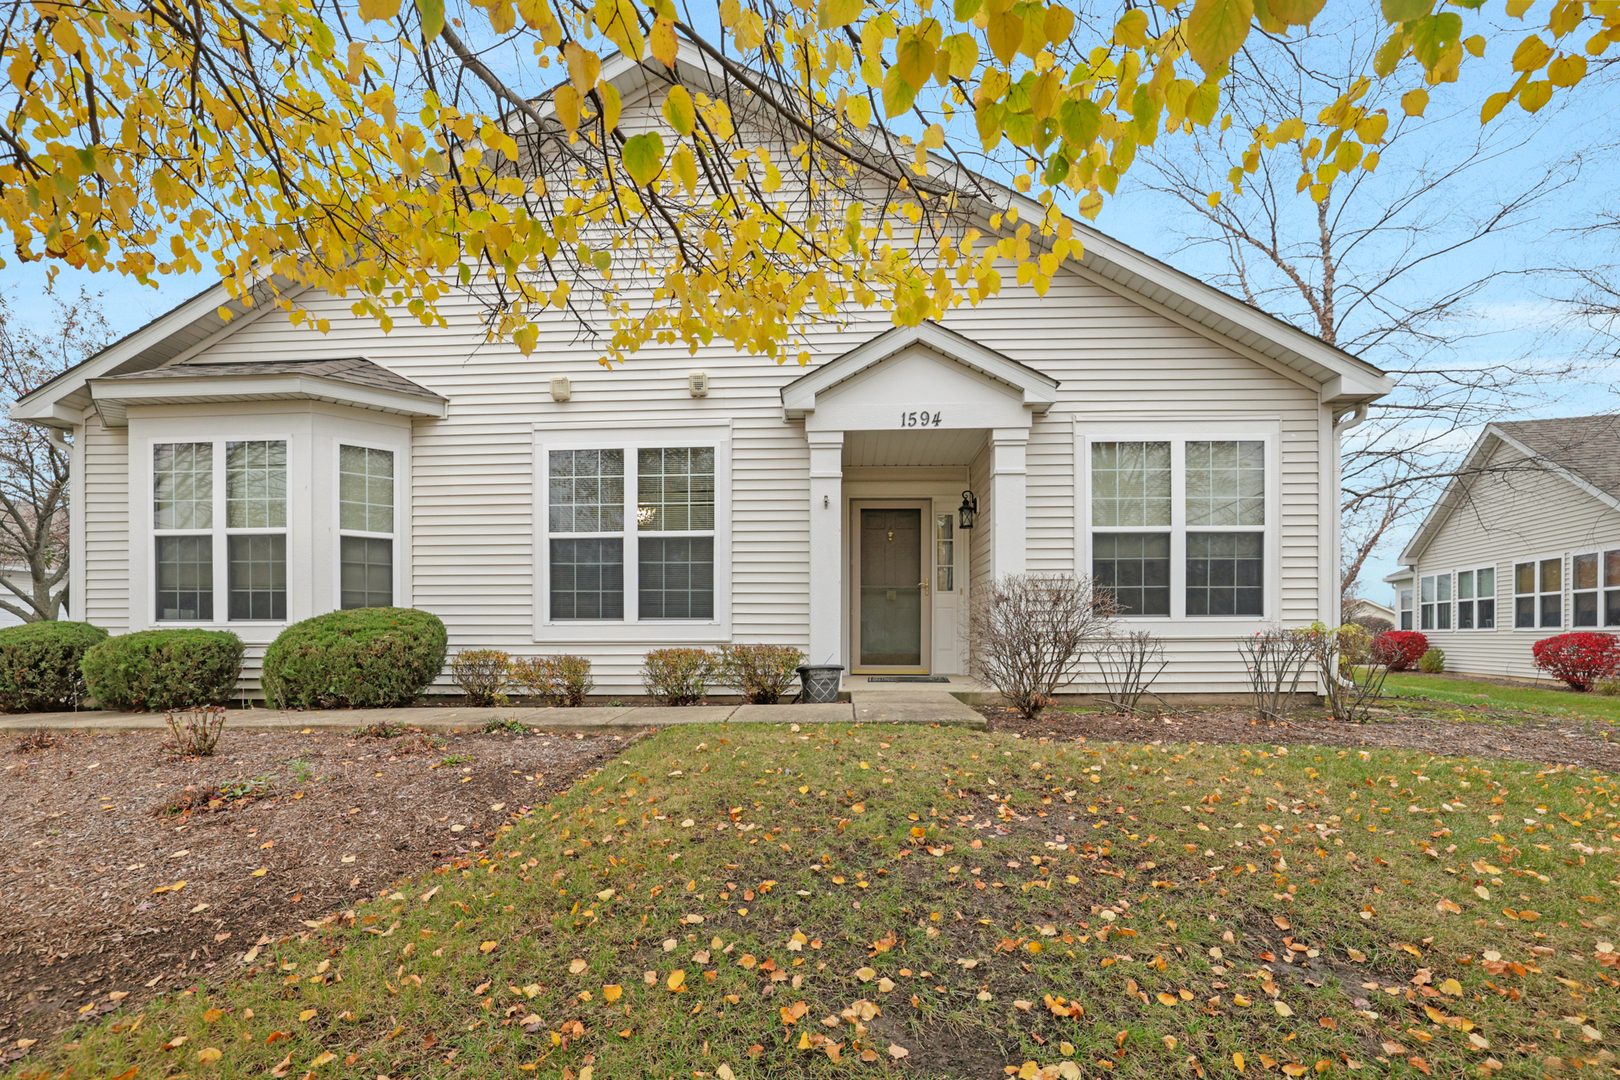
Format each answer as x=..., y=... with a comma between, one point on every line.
x=1524, y=545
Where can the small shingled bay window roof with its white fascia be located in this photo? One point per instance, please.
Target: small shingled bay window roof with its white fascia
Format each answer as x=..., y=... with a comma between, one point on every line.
x=351, y=381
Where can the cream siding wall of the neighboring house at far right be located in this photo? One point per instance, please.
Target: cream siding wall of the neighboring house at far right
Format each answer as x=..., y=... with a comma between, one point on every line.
x=1514, y=512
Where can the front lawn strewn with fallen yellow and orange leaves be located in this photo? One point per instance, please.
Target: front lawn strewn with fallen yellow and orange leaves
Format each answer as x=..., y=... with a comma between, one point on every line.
x=877, y=901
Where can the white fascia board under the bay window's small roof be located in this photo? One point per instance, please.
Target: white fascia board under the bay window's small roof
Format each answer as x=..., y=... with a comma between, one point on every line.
x=116, y=396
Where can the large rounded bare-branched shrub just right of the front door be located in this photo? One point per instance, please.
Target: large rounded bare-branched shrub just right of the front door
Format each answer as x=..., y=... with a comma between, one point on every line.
x=1030, y=634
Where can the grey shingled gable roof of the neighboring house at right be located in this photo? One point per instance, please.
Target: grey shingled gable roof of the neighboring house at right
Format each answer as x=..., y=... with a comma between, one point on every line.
x=1585, y=451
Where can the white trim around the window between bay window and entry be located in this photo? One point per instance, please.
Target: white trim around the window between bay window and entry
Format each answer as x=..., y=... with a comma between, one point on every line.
x=633, y=436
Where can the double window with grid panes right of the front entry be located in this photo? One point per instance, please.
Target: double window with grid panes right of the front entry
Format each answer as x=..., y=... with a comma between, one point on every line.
x=1180, y=516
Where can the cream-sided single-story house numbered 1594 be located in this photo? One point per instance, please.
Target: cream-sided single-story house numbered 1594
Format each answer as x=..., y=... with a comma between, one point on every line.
x=1135, y=423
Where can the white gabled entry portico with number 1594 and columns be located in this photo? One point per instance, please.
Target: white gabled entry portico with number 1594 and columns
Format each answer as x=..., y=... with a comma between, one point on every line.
x=898, y=430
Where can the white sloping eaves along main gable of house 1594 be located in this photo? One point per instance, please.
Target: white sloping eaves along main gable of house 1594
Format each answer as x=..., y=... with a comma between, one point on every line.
x=1341, y=378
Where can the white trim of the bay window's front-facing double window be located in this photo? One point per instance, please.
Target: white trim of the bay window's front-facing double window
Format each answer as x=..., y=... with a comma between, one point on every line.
x=218, y=532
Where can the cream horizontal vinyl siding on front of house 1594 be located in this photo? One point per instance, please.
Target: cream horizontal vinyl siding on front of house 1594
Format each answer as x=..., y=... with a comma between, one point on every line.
x=474, y=472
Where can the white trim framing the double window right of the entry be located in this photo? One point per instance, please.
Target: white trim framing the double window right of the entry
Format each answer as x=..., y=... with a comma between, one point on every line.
x=1179, y=435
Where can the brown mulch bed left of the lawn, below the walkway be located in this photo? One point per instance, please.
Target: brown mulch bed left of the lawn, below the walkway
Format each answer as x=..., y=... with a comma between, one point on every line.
x=276, y=828
